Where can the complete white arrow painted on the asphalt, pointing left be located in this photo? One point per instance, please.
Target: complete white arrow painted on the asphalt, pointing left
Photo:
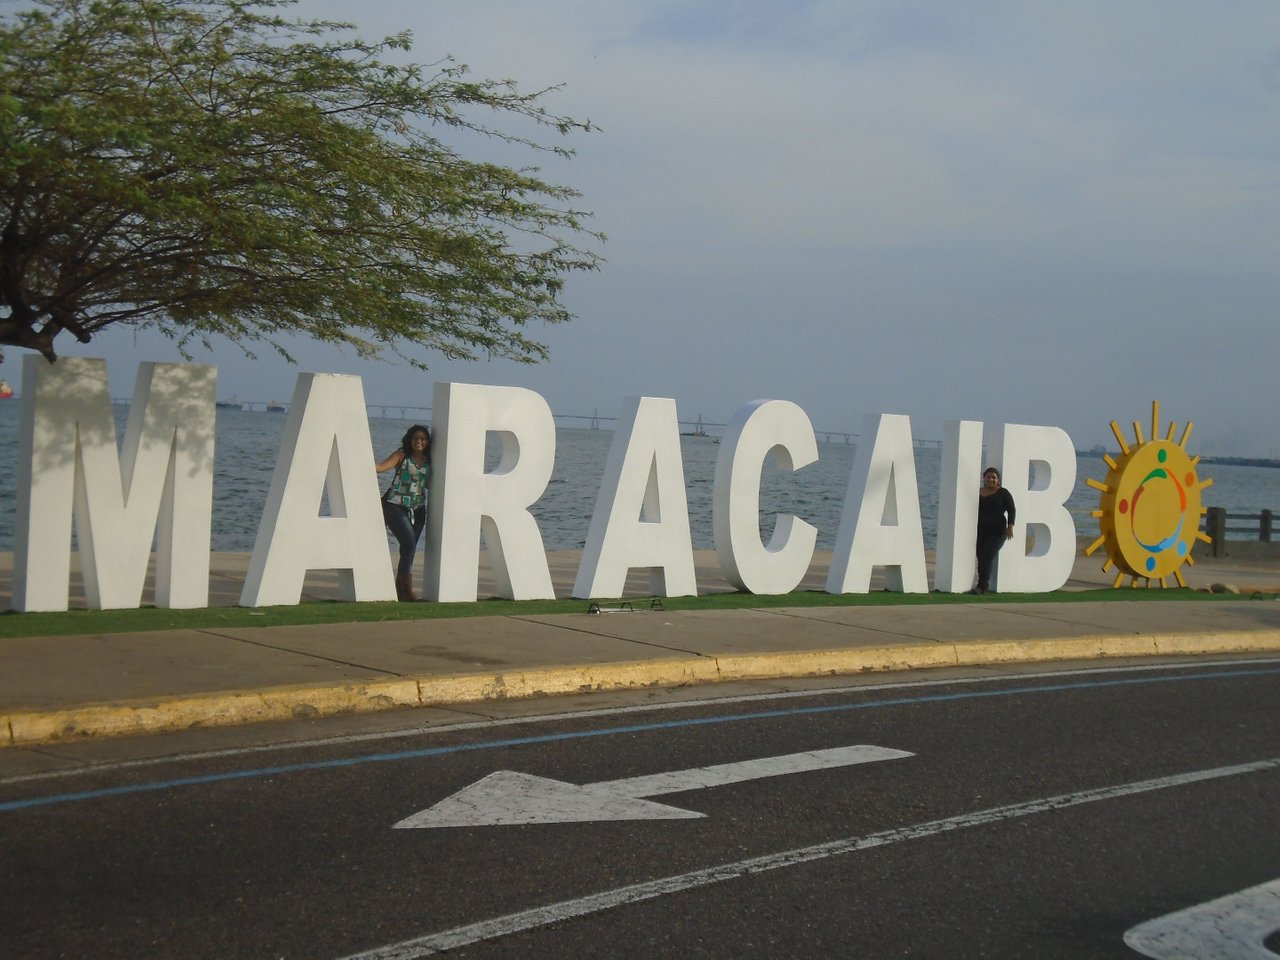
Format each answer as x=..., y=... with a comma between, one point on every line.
x=508, y=798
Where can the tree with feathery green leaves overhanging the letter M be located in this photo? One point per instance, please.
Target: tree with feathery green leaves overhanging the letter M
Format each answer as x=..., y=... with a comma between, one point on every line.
x=209, y=168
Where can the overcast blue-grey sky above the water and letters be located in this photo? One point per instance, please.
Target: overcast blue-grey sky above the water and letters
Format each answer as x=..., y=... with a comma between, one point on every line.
x=1043, y=213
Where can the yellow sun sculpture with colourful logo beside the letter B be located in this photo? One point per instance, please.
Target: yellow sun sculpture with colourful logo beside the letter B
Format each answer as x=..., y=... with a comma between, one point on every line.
x=1150, y=510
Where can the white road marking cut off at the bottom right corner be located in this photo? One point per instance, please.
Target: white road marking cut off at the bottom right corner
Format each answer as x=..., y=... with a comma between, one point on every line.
x=1229, y=929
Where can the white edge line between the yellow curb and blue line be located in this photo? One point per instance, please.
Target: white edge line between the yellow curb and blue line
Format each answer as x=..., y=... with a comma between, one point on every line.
x=428, y=729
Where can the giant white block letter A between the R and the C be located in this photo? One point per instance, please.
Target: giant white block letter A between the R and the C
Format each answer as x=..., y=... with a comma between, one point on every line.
x=642, y=514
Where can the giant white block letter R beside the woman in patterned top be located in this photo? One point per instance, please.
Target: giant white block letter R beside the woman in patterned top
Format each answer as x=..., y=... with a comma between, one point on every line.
x=467, y=502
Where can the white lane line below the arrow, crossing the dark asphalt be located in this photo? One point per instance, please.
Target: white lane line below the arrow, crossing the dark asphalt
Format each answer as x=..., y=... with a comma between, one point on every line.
x=597, y=903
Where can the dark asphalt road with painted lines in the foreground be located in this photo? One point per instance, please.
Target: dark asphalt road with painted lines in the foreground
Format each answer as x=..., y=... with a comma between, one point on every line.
x=1039, y=813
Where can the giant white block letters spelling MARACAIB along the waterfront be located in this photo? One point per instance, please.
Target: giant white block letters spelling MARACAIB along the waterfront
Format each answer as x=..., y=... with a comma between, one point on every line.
x=158, y=490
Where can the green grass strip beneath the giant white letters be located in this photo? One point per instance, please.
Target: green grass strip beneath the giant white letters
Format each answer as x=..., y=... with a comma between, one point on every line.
x=150, y=619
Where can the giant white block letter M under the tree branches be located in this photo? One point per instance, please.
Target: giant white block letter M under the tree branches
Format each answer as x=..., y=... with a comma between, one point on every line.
x=162, y=487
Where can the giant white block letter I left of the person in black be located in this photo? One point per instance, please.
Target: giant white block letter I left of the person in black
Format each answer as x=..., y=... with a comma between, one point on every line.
x=957, y=561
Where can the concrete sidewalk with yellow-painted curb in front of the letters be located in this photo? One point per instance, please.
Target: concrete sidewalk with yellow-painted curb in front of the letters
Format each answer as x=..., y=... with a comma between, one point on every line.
x=58, y=689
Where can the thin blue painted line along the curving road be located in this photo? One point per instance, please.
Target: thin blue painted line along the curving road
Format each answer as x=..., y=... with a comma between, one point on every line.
x=259, y=772
